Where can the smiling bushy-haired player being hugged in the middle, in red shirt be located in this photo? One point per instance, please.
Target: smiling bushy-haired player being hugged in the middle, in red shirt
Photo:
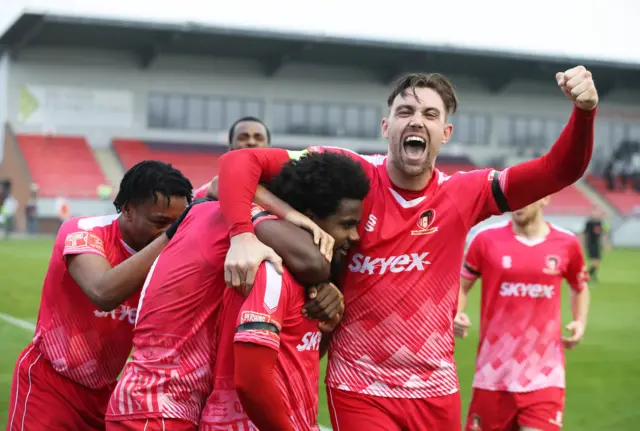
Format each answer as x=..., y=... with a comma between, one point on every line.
x=273, y=348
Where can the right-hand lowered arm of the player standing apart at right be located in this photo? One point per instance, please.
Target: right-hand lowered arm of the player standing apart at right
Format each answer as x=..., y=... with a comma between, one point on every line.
x=577, y=276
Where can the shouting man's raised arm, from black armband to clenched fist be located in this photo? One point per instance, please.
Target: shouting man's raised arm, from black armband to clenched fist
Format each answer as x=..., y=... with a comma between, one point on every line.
x=568, y=158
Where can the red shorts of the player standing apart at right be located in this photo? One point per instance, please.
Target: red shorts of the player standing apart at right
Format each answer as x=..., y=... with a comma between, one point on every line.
x=507, y=411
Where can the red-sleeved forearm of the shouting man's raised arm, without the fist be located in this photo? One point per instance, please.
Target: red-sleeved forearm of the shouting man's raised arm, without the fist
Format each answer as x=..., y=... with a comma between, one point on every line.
x=563, y=165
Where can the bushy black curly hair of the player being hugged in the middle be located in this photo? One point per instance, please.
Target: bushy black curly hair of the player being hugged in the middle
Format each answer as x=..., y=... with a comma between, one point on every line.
x=317, y=182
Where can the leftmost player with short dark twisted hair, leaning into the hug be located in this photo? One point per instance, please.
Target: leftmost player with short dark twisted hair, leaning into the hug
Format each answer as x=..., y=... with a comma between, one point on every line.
x=64, y=378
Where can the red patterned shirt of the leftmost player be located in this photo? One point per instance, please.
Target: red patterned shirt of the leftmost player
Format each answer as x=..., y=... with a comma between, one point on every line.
x=82, y=343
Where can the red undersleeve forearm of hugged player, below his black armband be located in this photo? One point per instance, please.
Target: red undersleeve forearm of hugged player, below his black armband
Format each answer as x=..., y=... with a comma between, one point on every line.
x=257, y=389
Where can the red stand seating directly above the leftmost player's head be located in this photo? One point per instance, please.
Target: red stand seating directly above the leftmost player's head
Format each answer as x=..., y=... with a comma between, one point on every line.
x=197, y=161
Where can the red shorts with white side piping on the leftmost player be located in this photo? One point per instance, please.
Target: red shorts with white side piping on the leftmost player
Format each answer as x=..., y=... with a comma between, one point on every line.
x=42, y=399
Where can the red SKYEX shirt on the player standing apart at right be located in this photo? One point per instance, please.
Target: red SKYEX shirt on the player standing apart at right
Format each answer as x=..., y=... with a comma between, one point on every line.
x=520, y=347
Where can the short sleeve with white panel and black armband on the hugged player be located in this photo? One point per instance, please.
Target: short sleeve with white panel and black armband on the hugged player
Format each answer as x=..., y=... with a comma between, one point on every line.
x=263, y=312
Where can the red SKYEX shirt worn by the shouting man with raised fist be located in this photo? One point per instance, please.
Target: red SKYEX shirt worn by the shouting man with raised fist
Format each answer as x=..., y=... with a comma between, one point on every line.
x=401, y=283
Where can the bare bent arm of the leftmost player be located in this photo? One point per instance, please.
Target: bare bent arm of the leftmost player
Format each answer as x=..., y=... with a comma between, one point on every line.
x=107, y=286
